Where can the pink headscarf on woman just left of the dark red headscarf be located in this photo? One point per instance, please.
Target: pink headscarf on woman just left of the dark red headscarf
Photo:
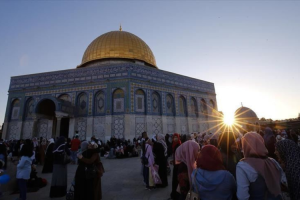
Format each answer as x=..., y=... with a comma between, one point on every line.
x=187, y=153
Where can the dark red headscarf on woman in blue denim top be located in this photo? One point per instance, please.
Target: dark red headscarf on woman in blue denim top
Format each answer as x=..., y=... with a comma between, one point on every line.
x=210, y=159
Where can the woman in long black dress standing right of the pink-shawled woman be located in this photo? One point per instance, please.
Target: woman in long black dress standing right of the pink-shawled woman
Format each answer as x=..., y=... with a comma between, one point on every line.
x=160, y=152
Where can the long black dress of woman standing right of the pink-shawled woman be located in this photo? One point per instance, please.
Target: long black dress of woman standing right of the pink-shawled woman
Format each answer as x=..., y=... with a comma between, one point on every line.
x=161, y=161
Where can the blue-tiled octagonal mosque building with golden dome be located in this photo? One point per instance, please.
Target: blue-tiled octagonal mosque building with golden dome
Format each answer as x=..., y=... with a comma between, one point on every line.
x=117, y=90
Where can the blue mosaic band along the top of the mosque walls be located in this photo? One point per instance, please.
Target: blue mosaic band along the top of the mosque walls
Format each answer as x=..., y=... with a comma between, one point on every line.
x=111, y=71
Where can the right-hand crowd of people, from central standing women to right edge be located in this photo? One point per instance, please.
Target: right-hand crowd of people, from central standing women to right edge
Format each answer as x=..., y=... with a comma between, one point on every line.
x=229, y=165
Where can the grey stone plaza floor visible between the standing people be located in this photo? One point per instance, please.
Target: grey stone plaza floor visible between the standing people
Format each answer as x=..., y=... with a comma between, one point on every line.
x=122, y=180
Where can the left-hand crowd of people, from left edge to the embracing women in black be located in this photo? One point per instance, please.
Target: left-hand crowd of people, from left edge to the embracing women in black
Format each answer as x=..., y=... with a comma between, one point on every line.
x=54, y=155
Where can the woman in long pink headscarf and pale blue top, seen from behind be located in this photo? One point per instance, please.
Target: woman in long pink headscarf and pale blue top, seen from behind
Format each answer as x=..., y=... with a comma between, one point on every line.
x=257, y=175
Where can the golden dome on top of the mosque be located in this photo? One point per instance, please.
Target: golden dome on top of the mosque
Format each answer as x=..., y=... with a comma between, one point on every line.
x=120, y=45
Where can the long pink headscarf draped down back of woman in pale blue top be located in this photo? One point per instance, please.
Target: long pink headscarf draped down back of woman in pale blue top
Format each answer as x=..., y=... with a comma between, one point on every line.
x=255, y=154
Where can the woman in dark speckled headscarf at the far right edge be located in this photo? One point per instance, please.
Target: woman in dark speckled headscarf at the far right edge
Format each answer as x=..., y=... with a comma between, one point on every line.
x=289, y=155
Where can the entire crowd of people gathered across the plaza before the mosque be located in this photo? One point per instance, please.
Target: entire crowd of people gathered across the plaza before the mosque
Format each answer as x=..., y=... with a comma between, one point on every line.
x=228, y=165
